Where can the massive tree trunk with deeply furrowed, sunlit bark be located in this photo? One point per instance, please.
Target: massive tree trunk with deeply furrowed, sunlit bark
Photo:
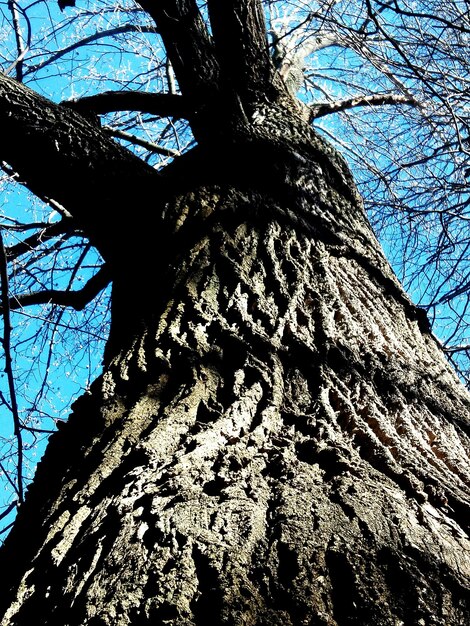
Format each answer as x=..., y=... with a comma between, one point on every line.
x=277, y=438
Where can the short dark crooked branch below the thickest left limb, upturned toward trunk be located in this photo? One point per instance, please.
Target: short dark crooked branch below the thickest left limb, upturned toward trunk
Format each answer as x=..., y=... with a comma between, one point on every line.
x=74, y=299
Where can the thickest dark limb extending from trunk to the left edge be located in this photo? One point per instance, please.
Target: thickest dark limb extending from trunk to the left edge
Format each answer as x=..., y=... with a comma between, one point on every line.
x=61, y=155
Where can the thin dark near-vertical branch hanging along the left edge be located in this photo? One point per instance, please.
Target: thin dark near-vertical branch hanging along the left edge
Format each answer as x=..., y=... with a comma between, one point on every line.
x=9, y=369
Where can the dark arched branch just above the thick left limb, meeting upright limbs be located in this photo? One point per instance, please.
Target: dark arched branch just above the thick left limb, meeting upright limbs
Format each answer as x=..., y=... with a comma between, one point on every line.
x=161, y=104
